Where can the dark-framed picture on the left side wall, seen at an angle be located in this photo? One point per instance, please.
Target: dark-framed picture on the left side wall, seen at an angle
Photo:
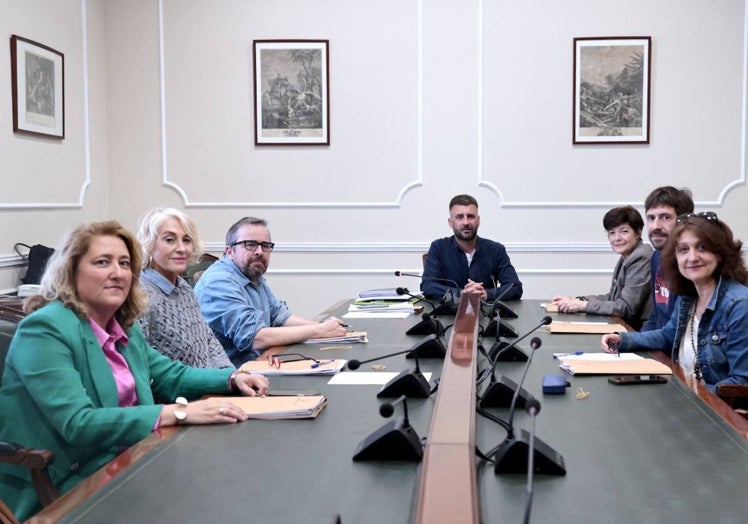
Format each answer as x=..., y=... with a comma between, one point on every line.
x=38, y=88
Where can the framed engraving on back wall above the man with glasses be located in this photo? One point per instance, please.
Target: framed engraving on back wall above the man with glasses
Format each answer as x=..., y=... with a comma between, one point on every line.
x=291, y=92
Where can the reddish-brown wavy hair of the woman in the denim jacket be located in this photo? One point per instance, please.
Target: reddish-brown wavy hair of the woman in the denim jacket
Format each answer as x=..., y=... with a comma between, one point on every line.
x=717, y=238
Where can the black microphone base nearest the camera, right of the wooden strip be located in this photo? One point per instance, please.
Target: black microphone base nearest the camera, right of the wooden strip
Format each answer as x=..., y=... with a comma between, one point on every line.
x=511, y=457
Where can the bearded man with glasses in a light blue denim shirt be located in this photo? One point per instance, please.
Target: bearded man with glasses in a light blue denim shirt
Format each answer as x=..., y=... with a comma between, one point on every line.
x=239, y=305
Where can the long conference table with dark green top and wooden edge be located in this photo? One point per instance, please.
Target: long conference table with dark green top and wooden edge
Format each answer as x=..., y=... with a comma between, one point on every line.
x=647, y=453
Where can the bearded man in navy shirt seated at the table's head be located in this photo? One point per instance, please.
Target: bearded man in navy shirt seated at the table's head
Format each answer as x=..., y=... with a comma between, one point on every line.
x=467, y=262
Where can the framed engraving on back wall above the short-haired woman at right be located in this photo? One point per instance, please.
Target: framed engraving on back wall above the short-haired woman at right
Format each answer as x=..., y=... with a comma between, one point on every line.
x=611, y=90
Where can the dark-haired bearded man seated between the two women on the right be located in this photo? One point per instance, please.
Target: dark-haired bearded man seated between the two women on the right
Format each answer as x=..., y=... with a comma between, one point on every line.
x=662, y=207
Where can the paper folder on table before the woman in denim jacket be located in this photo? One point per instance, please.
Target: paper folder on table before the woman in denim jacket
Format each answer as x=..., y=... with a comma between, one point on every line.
x=610, y=364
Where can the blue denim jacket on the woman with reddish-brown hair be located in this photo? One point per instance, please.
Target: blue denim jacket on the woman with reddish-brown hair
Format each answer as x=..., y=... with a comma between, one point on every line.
x=723, y=335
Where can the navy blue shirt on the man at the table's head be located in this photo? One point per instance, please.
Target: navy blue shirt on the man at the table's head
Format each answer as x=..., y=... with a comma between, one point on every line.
x=490, y=266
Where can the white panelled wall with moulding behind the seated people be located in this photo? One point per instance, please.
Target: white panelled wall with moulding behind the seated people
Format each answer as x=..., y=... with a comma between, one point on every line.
x=428, y=99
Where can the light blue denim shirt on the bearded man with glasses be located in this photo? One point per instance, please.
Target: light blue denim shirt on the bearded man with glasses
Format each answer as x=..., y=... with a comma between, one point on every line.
x=236, y=308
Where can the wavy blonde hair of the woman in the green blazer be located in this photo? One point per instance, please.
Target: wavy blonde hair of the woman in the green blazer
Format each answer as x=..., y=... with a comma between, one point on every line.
x=58, y=282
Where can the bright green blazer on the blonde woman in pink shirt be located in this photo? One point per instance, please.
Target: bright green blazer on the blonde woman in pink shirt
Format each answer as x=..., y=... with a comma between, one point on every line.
x=58, y=393
